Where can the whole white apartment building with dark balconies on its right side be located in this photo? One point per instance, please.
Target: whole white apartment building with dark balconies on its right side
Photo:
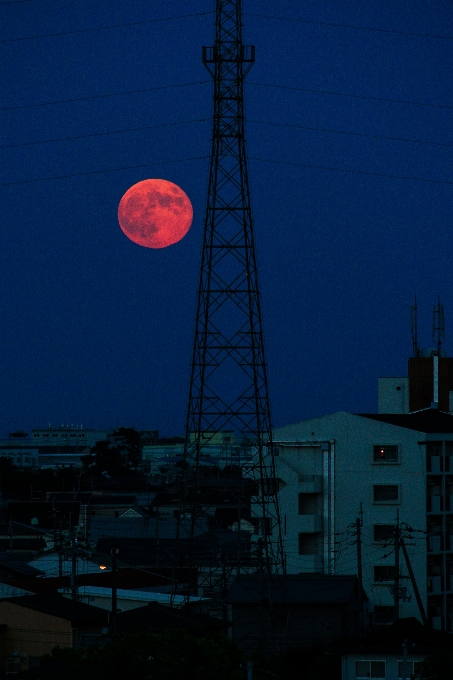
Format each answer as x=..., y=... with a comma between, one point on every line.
x=378, y=468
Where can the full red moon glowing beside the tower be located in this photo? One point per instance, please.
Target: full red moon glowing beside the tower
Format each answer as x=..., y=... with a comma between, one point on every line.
x=155, y=213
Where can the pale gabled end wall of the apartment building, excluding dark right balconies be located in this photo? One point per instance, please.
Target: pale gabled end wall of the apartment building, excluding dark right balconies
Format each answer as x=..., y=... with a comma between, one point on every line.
x=337, y=452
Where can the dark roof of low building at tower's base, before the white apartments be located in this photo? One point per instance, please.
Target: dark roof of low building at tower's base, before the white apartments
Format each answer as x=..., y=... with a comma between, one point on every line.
x=300, y=588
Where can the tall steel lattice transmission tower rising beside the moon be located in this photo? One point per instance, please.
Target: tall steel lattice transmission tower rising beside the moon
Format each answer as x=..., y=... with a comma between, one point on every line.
x=229, y=386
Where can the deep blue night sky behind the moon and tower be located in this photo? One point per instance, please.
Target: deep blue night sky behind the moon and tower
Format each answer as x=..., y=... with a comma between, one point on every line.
x=349, y=104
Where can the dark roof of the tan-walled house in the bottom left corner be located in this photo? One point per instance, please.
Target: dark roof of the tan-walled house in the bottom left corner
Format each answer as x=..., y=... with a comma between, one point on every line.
x=78, y=613
